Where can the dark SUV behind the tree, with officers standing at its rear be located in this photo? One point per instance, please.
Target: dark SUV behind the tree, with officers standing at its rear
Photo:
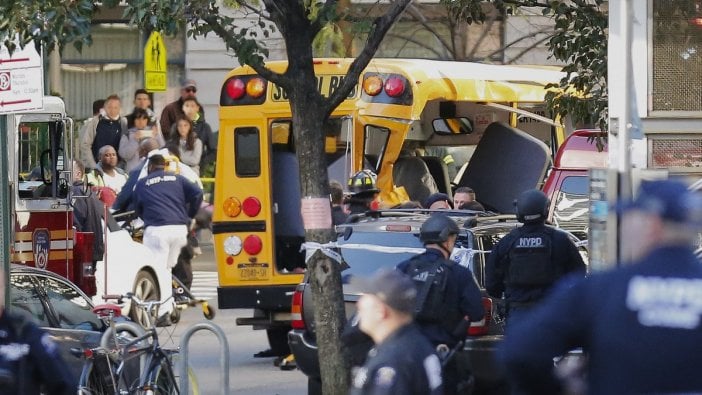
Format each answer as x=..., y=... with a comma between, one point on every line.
x=400, y=230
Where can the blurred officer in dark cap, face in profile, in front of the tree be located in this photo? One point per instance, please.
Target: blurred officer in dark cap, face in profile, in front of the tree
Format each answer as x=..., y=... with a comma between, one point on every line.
x=403, y=361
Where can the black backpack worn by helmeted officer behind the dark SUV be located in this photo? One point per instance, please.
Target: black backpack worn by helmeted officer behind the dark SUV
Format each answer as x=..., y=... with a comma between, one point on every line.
x=430, y=279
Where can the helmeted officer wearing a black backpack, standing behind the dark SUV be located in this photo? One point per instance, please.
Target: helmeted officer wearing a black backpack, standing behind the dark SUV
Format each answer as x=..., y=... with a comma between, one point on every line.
x=456, y=303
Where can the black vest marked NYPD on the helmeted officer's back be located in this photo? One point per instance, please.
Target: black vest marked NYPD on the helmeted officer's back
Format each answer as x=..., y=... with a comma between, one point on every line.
x=530, y=259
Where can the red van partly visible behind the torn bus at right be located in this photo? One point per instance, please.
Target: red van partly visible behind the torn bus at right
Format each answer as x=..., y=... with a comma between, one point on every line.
x=567, y=183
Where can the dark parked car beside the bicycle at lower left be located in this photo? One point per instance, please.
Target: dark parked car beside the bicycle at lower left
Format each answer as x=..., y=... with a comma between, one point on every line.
x=57, y=306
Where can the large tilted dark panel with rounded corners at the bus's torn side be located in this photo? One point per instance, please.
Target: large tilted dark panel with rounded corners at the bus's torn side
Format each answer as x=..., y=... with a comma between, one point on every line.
x=506, y=162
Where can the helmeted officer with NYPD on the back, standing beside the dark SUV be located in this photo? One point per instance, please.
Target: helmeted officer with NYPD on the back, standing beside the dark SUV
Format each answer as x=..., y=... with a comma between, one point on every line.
x=524, y=265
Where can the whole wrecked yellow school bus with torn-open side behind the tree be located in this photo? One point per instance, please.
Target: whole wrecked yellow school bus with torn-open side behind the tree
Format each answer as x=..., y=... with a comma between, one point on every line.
x=400, y=104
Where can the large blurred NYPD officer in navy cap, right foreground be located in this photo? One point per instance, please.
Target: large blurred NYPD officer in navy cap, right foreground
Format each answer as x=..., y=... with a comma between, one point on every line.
x=640, y=323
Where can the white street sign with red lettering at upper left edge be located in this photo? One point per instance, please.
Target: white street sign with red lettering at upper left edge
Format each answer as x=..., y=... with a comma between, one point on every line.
x=21, y=79
